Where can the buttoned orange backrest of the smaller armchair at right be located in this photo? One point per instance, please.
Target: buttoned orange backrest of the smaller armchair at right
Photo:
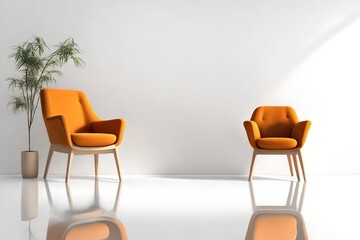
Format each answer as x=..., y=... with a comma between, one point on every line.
x=275, y=121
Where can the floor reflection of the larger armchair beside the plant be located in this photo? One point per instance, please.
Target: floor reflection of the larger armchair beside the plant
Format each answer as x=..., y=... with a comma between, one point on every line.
x=91, y=223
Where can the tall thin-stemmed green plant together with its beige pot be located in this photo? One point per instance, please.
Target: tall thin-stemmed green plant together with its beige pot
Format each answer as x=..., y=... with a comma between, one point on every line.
x=38, y=67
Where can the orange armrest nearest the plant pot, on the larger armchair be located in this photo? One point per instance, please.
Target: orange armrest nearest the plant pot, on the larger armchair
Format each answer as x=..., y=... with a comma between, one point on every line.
x=58, y=130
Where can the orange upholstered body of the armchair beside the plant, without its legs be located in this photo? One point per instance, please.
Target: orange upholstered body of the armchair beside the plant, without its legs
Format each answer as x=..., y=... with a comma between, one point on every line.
x=67, y=113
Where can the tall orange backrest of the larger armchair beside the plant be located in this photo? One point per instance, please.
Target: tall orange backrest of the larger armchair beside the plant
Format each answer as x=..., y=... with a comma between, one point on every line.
x=73, y=105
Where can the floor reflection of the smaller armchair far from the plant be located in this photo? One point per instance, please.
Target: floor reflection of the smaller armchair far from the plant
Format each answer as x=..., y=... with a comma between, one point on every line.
x=279, y=222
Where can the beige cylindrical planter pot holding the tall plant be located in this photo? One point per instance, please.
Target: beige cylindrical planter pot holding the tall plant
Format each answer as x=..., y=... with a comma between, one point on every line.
x=29, y=164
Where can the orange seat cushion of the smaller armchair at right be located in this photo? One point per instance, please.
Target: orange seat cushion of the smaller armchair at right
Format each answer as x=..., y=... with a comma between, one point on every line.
x=276, y=143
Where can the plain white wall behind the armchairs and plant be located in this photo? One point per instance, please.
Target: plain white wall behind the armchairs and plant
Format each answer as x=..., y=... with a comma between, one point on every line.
x=186, y=74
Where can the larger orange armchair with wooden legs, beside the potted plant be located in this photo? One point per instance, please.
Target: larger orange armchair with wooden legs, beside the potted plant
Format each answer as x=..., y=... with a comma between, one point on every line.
x=74, y=128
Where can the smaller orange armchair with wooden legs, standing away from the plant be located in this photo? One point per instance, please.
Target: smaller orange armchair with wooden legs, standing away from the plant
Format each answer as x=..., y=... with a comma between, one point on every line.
x=276, y=130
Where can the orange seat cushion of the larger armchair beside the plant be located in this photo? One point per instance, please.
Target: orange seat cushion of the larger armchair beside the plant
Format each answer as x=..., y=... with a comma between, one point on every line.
x=93, y=139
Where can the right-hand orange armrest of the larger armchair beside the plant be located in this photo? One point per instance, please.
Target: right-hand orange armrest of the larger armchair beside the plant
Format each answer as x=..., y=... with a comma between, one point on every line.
x=113, y=126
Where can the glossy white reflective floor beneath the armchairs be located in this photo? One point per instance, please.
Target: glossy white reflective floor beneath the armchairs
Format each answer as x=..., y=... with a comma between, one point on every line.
x=174, y=208
